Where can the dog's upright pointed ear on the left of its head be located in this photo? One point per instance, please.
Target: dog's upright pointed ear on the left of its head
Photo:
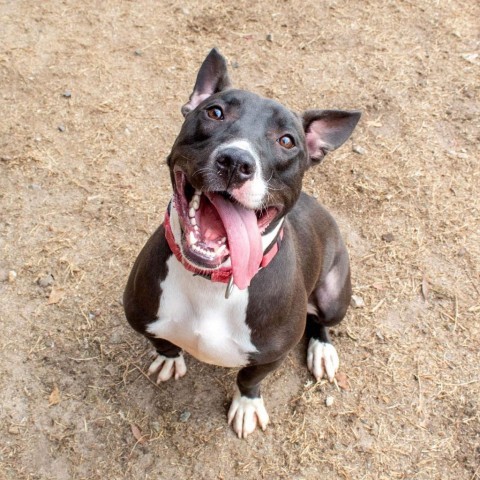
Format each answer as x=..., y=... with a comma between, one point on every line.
x=212, y=78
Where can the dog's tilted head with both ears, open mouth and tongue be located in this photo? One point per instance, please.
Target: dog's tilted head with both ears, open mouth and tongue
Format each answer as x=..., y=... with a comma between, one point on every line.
x=237, y=168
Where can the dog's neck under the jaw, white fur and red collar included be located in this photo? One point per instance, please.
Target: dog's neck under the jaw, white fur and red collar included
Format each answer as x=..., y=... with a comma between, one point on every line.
x=271, y=242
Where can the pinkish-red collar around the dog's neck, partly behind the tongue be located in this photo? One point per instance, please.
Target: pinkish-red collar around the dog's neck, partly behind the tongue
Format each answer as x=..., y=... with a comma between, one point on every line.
x=222, y=274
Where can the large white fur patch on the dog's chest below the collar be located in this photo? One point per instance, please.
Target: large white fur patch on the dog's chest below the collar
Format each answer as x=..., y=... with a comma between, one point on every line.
x=195, y=316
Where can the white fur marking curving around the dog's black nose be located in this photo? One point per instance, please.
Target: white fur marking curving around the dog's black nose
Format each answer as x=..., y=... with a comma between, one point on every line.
x=252, y=193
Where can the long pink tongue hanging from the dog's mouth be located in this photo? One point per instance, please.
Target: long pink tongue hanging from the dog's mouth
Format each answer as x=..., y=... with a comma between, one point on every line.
x=244, y=239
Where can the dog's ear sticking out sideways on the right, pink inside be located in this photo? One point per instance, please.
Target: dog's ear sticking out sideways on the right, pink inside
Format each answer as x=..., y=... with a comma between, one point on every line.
x=326, y=130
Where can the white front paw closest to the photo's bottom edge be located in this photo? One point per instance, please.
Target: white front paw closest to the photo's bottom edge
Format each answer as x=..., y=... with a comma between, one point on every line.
x=245, y=413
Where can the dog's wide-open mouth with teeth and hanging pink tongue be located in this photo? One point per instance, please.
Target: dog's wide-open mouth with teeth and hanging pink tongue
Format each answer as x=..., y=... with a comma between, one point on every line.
x=215, y=227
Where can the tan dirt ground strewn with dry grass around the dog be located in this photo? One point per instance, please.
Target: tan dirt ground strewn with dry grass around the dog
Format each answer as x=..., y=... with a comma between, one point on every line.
x=90, y=97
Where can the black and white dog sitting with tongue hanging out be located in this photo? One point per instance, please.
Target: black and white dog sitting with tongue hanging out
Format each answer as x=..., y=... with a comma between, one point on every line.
x=244, y=262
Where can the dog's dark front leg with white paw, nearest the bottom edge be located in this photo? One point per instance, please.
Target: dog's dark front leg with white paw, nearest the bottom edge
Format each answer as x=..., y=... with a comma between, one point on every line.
x=247, y=408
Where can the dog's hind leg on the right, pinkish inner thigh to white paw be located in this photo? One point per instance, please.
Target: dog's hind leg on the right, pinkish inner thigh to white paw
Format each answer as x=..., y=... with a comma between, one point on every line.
x=327, y=307
